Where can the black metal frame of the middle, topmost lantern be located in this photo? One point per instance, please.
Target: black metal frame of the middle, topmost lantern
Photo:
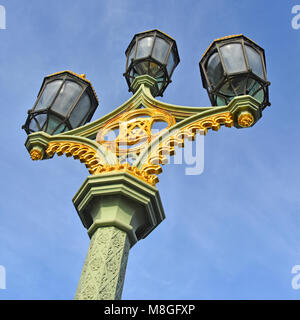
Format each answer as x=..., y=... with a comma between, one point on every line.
x=131, y=66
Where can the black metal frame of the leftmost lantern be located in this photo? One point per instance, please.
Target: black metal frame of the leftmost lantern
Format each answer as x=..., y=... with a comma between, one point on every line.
x=64, y=120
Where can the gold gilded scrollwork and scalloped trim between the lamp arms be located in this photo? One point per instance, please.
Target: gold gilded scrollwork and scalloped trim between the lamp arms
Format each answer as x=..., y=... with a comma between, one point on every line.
x=136, y=129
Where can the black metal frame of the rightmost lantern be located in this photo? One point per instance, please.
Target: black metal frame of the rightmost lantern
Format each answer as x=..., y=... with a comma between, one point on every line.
x=213, y=91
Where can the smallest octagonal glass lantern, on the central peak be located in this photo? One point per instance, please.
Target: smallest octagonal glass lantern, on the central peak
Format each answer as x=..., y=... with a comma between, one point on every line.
x=153, y=53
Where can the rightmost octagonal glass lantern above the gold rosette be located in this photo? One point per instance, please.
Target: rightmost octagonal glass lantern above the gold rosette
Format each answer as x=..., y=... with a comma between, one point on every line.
x=234, y=66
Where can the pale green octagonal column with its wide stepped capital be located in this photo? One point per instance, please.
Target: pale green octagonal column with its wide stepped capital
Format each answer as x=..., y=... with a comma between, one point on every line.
x=118, y=210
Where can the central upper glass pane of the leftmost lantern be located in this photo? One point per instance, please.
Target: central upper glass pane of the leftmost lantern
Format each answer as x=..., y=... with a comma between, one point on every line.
x=67, y=97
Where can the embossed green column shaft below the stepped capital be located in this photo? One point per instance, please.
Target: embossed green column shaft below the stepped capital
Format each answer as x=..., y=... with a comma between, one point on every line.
x=103, y=273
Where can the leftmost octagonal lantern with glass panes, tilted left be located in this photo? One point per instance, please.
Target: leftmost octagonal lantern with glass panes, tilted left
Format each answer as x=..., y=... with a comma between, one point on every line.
x=65, y=101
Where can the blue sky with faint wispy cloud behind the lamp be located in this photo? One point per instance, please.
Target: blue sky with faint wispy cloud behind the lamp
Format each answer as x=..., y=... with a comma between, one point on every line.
x=231, y=232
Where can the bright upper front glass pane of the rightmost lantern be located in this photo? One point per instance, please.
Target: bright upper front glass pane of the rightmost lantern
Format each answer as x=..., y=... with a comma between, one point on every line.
x=233, y=57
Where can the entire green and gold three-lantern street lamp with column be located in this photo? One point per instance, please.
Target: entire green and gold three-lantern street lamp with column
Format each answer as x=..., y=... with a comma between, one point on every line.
x=119, y=203
